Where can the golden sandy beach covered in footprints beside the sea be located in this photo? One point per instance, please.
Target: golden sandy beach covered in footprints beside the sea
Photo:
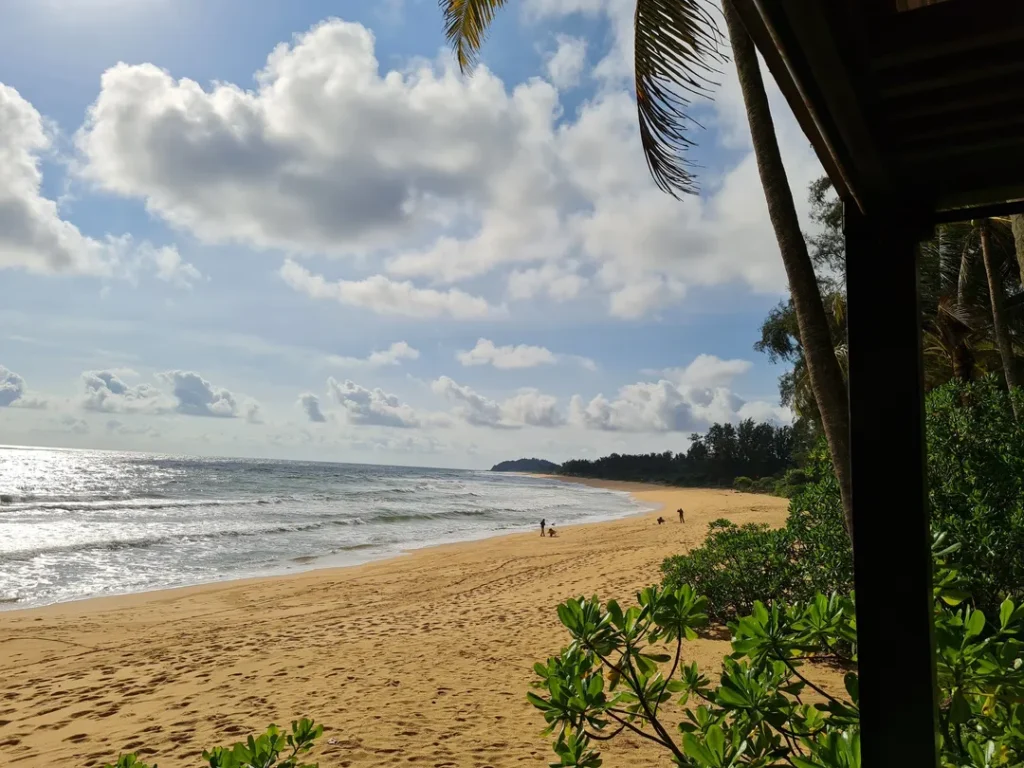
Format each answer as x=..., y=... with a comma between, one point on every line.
x=423, y=659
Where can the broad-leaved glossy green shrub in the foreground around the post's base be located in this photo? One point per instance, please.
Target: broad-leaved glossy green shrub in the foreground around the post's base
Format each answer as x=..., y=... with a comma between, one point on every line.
x=622, y=666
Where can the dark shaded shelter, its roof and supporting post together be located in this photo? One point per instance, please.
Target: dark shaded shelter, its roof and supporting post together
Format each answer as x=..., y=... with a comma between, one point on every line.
x=916, y=109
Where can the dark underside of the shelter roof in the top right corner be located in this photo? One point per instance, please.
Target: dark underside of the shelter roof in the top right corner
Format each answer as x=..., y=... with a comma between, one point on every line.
x=917, y=103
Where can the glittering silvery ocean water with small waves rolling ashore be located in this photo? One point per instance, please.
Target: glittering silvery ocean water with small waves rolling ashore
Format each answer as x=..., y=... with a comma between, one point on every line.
x=84, y=524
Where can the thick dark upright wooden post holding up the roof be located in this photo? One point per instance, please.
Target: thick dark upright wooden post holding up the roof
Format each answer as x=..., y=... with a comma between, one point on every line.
x=892, y=540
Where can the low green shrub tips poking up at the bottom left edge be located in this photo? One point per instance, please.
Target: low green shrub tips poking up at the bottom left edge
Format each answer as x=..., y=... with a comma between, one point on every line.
x=264, y=751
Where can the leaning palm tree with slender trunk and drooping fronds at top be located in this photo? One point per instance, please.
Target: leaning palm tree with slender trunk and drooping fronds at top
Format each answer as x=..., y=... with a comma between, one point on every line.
x=677, y=46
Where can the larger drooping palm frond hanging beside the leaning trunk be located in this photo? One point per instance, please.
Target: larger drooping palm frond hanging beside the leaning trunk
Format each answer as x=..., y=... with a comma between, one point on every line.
x=678, y=46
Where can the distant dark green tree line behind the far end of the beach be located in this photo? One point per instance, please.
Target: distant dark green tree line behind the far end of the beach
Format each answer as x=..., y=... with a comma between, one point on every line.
x=716, y=458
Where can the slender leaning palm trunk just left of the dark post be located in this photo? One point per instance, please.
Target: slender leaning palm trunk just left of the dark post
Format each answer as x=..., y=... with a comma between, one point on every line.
x=827, y=378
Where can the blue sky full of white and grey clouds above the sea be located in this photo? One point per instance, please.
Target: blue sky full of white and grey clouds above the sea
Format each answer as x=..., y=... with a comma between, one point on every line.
x=296, y=231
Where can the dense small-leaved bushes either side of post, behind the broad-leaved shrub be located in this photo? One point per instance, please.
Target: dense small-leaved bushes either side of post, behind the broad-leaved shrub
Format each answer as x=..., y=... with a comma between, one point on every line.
x=976, y=496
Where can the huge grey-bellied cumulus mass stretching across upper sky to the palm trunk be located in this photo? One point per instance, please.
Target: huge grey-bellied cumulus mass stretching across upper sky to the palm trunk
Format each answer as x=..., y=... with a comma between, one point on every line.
x=369, y=169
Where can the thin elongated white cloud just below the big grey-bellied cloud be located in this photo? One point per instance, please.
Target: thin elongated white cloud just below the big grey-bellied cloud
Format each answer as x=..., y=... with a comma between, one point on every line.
x=385, y=296
